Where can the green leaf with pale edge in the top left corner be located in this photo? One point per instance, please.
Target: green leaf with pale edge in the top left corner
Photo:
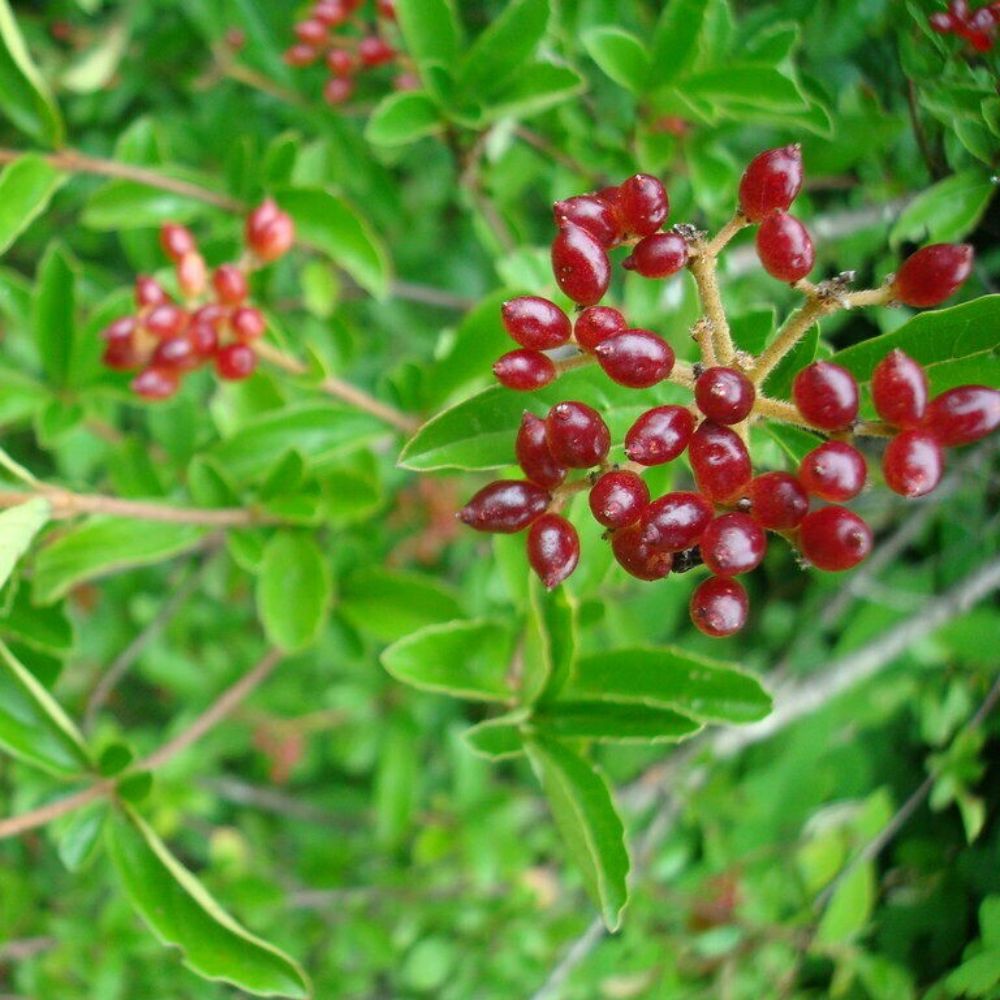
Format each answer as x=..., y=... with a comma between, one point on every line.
x=24, y=96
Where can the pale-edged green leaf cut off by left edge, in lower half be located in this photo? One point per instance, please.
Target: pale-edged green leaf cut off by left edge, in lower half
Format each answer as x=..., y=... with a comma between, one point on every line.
x=33, y=726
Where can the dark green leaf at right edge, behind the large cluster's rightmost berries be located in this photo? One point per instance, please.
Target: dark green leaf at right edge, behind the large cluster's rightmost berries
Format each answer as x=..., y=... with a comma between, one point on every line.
x=937, y=340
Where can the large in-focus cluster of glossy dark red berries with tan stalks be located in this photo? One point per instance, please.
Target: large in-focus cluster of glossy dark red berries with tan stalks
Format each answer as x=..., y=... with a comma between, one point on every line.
x=722, y=522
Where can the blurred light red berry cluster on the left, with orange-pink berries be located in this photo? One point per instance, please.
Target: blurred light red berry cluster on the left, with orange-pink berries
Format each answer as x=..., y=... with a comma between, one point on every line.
x=165, y=340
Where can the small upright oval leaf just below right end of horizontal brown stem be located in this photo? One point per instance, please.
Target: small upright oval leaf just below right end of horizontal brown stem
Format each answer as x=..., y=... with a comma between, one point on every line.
x=294, y=590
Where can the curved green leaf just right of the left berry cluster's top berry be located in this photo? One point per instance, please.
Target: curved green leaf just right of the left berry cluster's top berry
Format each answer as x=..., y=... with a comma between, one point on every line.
x=332, y=226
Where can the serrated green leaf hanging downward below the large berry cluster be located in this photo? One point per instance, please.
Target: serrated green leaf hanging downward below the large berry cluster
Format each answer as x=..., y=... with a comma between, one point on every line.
x=585, y=815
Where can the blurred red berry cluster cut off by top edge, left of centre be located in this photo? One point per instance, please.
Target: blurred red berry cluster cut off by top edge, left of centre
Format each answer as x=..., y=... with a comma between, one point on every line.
x=346, y=53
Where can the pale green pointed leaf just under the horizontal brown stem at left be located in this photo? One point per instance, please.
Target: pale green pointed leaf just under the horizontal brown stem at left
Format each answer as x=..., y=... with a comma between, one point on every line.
x=104, y=545
